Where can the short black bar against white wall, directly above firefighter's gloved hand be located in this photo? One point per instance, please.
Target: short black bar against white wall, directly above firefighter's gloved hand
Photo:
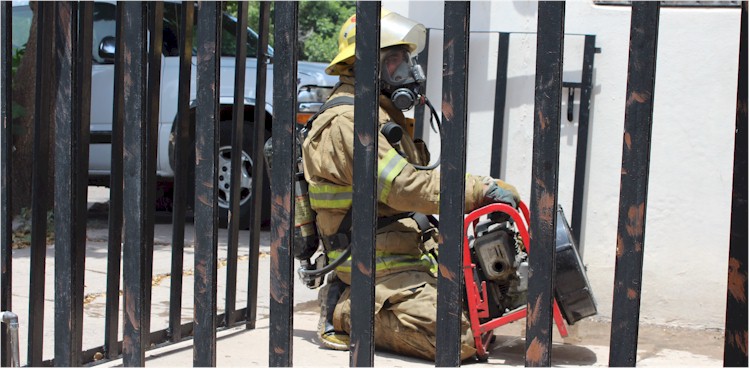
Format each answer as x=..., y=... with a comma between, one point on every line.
x=501, y=87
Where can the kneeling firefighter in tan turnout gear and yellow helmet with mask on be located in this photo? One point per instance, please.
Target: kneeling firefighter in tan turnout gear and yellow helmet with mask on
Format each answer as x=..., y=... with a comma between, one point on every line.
x=405, y=284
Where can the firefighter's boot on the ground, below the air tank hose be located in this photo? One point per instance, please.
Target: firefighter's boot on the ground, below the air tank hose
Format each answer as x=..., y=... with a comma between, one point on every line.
x=328, y=296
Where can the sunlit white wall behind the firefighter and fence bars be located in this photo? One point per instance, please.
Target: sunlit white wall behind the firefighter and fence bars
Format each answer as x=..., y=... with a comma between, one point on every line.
x=689, y=198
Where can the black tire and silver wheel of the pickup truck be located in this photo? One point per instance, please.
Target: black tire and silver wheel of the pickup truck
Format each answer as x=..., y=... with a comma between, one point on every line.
x=224, y=171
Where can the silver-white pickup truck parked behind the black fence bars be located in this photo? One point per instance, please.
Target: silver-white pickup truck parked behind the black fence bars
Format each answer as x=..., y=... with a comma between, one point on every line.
x=102, y=85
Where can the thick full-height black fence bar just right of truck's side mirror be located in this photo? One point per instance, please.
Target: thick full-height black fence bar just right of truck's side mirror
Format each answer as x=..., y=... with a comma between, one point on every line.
x=135, y=206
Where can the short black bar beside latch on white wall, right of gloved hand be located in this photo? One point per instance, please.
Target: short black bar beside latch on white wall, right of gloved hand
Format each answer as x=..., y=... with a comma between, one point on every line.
x=587, y=85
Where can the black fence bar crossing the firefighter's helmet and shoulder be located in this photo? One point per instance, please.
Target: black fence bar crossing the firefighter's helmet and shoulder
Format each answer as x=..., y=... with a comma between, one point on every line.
x=364, y=203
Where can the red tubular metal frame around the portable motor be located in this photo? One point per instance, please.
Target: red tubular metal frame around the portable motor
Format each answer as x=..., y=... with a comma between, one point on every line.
x=477, y=303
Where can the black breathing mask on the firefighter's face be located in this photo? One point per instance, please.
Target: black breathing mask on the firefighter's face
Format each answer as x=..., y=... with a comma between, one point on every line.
x=401, y=77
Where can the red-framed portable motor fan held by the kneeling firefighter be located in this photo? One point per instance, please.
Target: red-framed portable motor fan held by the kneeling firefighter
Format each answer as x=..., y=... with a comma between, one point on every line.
x=496, y=250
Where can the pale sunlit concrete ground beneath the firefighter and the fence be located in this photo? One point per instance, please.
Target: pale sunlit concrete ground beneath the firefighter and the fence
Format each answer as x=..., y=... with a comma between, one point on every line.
x=588, y=345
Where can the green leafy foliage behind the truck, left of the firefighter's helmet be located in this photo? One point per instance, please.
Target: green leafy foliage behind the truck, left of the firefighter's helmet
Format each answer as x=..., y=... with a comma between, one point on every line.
x=319, y=25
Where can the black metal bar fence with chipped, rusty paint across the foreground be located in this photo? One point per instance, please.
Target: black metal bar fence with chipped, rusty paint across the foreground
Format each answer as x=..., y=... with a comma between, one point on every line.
x=63, y=101
